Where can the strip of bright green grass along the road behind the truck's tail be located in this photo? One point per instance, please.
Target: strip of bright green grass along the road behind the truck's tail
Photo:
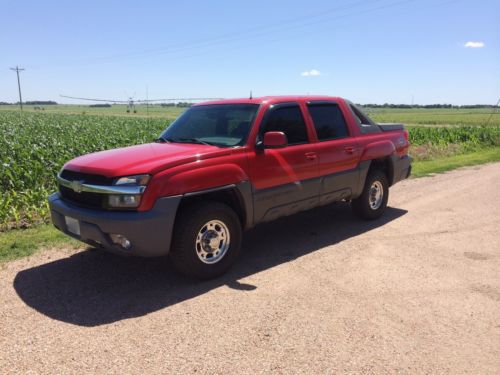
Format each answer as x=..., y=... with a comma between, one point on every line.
x=448, y=163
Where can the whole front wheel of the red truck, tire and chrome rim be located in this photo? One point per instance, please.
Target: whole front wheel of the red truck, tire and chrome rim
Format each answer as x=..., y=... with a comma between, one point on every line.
x=207, y=240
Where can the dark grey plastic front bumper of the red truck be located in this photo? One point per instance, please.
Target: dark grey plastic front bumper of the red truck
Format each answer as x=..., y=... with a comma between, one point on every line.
x=149, y=232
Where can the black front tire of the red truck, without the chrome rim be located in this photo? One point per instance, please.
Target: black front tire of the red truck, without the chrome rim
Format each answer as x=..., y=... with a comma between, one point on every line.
x=185, y=249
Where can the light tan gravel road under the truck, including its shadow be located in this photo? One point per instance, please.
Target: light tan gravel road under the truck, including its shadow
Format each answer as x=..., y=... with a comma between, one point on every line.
x=319, y=292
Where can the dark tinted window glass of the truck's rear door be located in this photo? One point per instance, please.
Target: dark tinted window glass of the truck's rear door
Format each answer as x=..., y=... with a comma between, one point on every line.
x=328, y=121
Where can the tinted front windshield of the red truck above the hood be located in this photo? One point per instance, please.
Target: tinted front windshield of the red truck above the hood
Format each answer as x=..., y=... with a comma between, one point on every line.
x=223, y=125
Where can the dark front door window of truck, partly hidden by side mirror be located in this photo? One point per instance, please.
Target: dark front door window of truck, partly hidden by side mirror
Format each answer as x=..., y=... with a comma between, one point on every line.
x=288, y=120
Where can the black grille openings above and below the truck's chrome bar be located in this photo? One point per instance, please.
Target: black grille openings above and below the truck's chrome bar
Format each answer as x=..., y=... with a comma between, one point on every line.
x=84, y=199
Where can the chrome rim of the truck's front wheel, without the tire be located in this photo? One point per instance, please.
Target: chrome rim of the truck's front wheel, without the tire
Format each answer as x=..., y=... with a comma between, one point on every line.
x=212, y=241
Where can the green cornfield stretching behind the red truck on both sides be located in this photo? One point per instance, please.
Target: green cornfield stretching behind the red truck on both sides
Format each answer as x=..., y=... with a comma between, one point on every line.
x=34, y=146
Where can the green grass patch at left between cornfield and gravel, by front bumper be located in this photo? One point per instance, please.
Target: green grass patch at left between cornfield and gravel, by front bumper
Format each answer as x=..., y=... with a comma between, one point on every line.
x=20, y=243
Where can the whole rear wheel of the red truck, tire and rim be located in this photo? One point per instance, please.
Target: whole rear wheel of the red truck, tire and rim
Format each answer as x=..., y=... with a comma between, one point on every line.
x=372, y=202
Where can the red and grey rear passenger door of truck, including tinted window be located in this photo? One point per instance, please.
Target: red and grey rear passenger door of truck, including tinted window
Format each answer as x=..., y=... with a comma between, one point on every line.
x=337, y=150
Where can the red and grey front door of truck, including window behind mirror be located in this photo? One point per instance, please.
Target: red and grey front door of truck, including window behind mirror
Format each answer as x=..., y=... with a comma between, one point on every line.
x=285, y=179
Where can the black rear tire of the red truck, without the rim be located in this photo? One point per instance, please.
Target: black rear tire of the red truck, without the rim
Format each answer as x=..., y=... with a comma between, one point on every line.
x=362, y=206
